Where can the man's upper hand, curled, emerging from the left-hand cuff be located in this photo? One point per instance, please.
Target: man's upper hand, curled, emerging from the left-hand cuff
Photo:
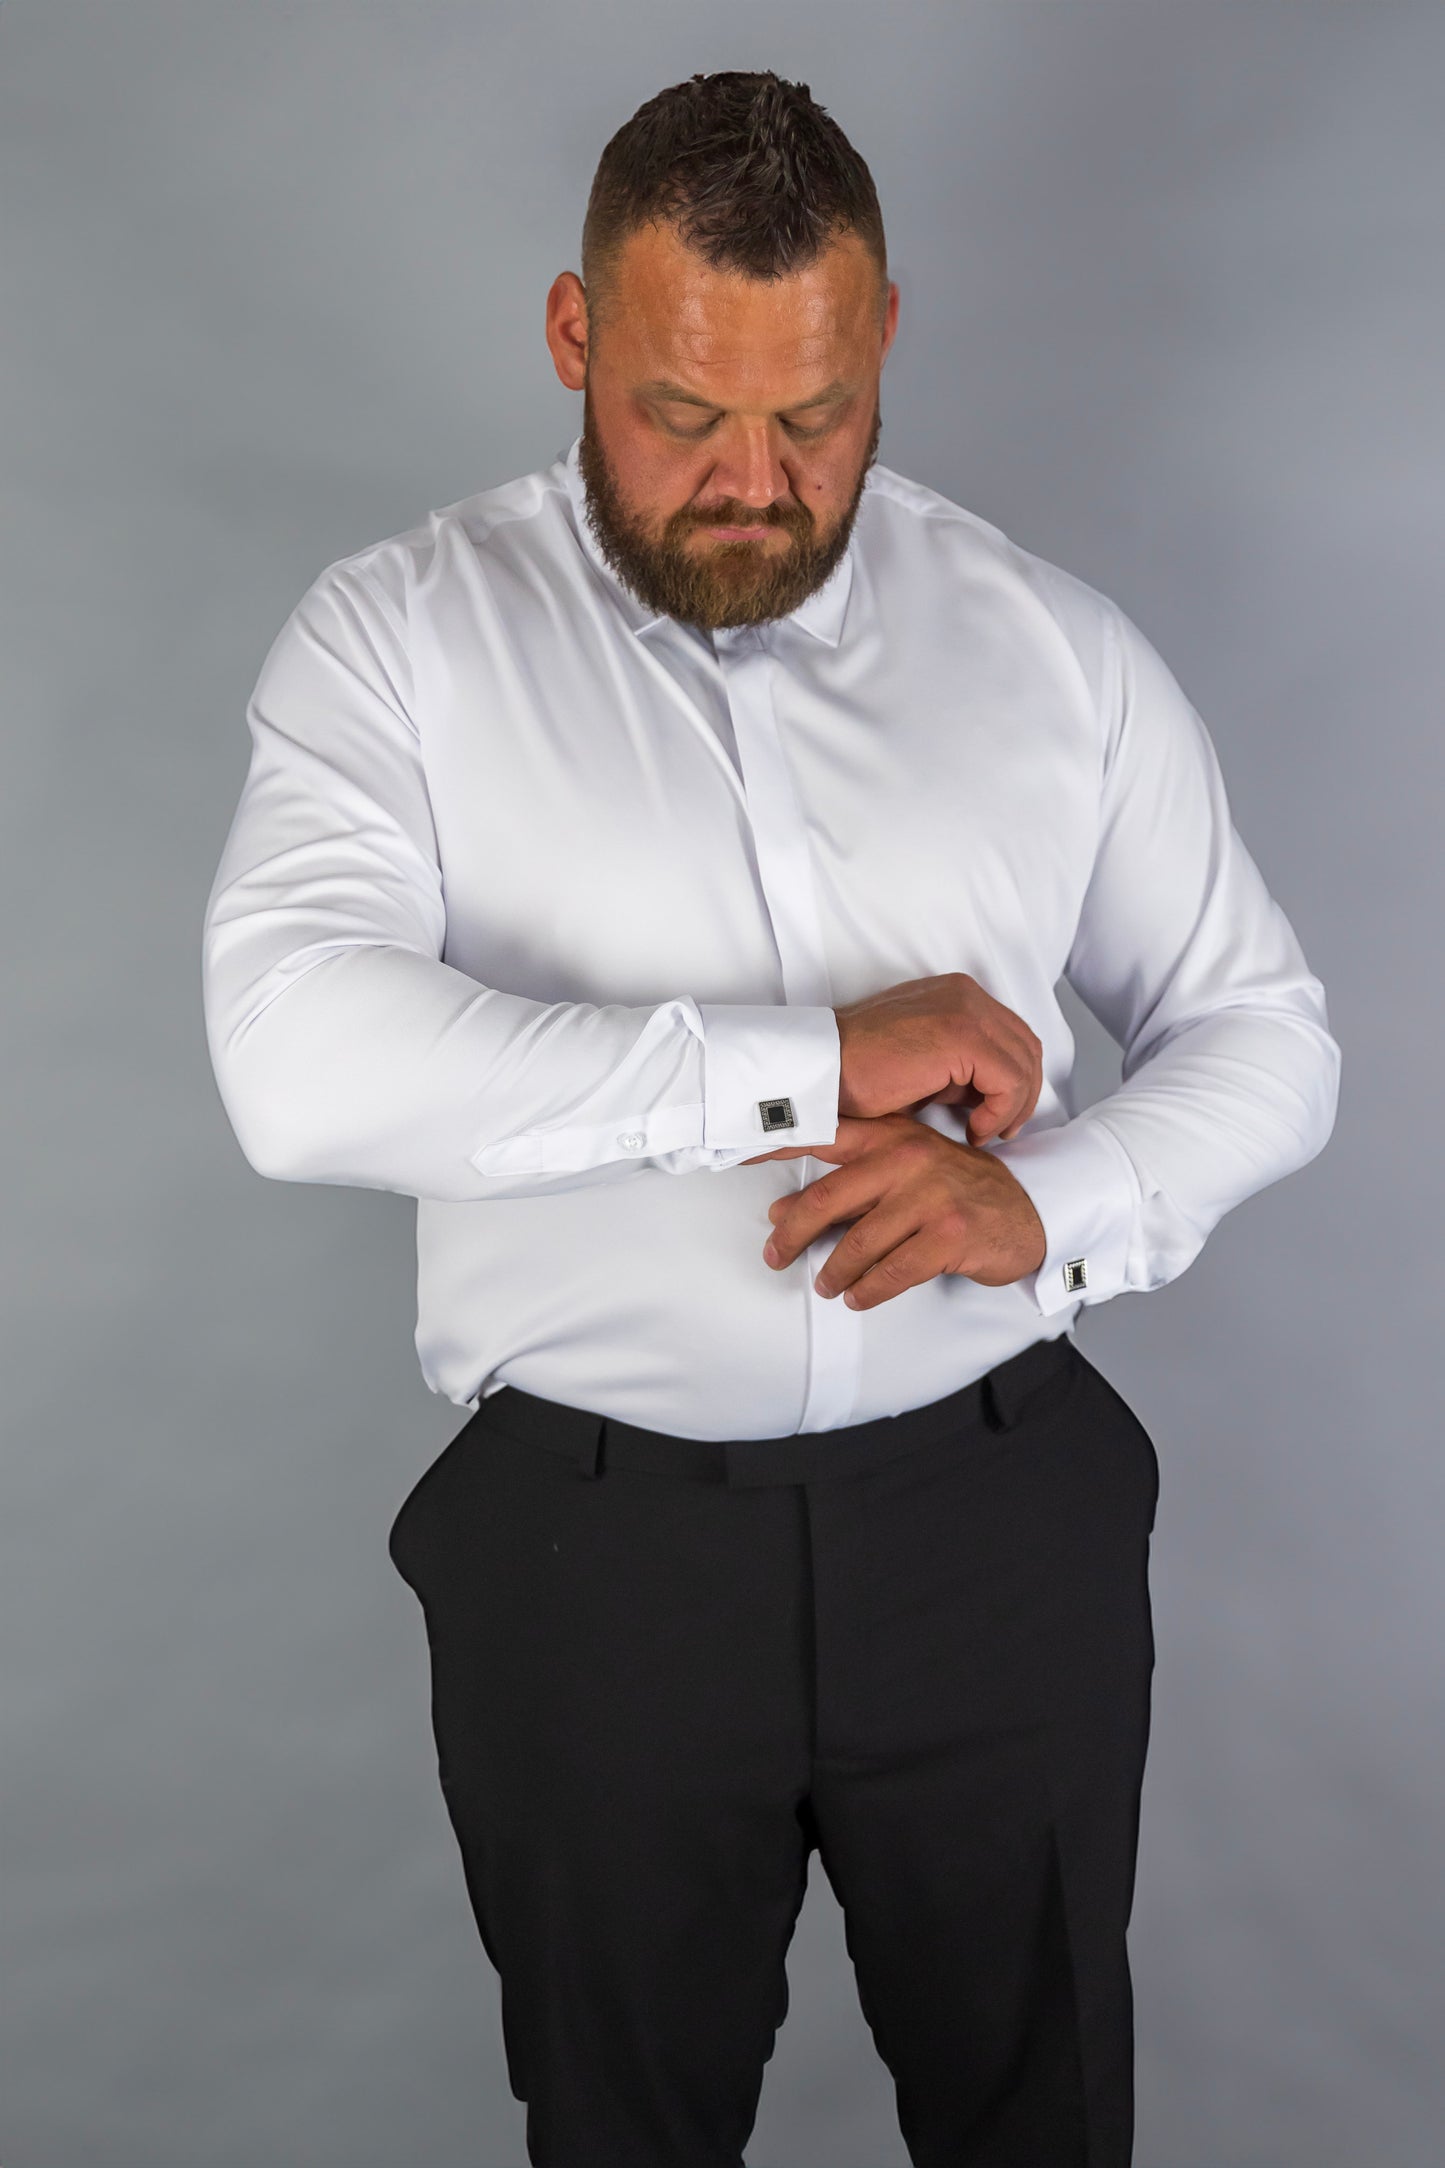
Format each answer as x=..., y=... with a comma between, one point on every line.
x=941, y=1040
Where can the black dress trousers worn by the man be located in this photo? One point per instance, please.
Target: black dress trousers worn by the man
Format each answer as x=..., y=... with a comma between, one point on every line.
x=666, y=1670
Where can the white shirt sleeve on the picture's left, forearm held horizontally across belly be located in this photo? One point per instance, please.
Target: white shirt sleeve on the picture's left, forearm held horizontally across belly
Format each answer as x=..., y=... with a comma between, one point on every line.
x=348, y=1050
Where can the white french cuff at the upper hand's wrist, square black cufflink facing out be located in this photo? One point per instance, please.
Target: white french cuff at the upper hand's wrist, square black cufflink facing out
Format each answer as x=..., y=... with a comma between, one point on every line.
x=770, y=1076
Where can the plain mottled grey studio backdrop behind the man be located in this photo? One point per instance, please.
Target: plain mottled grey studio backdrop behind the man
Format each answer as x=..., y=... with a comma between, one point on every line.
x=1171, y=313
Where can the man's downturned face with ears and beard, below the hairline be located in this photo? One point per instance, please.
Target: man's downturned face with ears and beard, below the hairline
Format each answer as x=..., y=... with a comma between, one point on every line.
x=729, y=424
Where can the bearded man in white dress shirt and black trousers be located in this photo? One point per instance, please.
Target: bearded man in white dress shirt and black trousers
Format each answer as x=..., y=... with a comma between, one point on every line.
x=705, y=801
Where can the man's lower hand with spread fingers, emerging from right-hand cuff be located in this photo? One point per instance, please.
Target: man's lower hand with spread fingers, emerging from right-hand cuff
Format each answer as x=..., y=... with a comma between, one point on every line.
x=920, y=1206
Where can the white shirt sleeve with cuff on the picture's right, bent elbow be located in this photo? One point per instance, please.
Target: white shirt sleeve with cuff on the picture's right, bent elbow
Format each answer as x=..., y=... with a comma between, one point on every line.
x=1229, y=1074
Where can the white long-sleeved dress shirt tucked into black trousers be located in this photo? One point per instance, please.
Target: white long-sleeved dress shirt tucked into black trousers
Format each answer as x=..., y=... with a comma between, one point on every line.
x=536, y=905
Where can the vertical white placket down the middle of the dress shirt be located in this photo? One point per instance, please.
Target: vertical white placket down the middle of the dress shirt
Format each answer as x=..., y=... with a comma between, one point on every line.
x=790, y=892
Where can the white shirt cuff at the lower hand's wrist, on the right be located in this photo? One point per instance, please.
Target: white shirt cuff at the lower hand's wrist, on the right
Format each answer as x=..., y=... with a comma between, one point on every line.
x=1086, y=1191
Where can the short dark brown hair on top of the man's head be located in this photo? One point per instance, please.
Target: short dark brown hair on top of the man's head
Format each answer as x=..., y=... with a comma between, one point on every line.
x=753, y=172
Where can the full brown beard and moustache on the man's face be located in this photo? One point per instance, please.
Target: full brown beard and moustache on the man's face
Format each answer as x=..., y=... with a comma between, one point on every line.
x=722, y=584
